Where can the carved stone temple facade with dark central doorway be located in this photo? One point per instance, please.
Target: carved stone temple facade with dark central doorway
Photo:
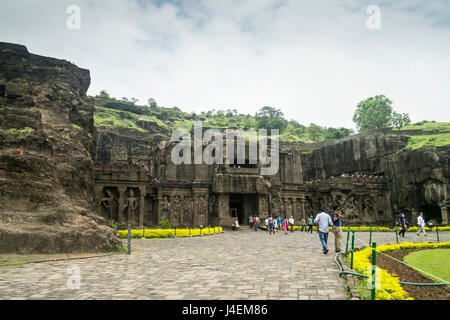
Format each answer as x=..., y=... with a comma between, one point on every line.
x=192, y=195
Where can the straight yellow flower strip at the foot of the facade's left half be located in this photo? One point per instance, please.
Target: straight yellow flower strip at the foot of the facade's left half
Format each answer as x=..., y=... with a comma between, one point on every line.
x=168, y=233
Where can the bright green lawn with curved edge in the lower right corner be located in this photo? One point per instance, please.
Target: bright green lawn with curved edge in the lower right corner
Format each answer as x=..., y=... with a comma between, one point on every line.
x=433, y=261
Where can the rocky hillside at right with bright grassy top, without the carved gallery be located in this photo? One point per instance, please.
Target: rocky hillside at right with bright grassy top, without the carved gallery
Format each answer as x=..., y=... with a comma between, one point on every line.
x=413, y=162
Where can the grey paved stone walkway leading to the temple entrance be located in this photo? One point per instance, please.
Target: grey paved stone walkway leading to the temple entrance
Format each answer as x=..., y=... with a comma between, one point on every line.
x=231, y=265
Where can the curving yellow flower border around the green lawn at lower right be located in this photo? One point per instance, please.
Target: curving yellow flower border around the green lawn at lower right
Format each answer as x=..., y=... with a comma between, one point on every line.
x=389, y=282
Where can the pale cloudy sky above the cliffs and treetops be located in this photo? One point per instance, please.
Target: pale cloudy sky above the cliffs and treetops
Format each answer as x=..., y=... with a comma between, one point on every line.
x=314, y=60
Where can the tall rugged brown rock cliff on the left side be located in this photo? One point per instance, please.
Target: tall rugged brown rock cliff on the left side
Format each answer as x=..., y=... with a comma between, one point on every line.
x=46, y=130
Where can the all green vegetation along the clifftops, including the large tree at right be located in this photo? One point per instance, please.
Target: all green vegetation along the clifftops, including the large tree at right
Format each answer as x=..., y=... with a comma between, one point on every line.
x=114, y=113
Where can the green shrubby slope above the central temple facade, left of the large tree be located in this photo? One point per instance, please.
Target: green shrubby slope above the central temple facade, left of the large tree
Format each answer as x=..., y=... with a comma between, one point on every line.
x=123, y=113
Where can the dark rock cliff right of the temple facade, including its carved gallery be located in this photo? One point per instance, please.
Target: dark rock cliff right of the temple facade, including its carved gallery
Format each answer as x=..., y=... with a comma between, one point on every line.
x=409, y=180
